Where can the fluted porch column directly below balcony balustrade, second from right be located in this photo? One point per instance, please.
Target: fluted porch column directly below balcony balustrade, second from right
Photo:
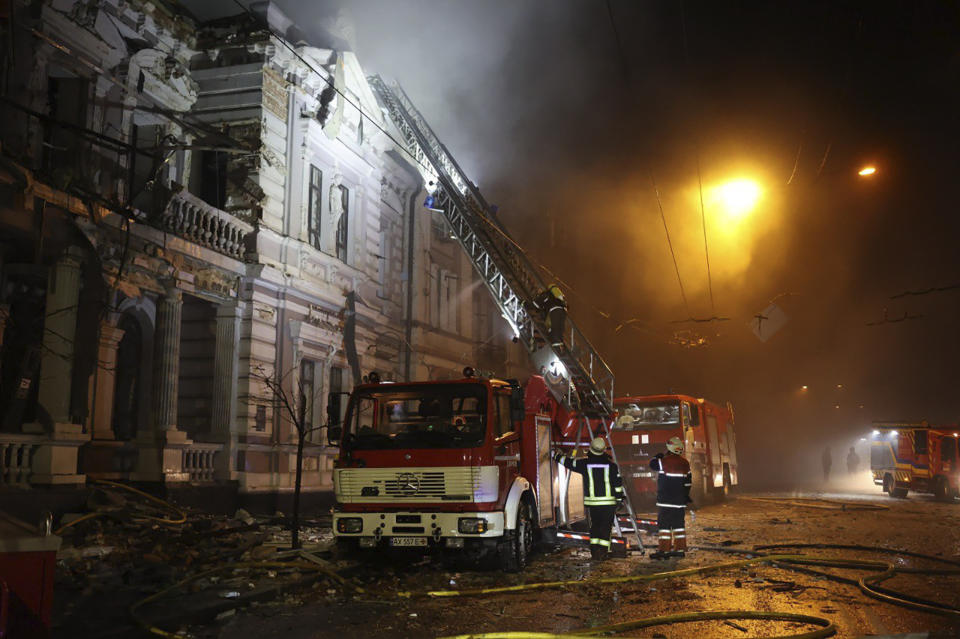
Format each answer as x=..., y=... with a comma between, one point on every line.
x=166, y=380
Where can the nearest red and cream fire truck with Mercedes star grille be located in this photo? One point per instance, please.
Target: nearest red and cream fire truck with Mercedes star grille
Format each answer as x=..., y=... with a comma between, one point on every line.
x=463, y=464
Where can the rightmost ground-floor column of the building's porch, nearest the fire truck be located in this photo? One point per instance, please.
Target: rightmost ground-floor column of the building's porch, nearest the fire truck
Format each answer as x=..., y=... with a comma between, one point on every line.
x=225, y=386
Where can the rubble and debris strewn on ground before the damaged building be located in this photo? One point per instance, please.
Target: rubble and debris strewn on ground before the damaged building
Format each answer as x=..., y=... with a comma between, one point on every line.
x=128, y=549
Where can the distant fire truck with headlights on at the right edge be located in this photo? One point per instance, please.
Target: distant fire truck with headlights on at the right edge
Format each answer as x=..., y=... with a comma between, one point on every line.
x=915, y=456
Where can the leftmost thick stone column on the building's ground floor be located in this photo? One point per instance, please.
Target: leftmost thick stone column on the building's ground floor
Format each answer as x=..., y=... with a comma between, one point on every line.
x=59, y=334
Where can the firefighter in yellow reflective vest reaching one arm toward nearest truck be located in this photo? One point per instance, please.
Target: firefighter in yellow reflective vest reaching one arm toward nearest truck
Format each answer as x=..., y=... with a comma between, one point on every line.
x=602, y=491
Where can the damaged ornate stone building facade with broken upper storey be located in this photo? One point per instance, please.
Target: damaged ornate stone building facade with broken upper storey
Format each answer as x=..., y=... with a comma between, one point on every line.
x=200, y=225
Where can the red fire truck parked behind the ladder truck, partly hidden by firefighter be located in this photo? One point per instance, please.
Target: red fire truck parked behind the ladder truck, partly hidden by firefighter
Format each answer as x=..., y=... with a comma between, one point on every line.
x=643, y=426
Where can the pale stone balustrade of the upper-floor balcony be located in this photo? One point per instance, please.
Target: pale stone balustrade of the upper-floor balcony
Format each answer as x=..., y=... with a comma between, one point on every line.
x=193, y=219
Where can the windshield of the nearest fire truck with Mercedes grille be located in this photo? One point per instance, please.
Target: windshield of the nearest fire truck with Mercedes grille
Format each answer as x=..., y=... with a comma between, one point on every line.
x=429, y=416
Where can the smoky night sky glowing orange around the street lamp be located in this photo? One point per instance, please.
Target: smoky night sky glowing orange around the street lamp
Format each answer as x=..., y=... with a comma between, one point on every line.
x=567, y=131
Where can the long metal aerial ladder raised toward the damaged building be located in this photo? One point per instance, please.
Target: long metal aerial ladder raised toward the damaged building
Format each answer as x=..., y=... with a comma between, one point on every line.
x=504, y=267
